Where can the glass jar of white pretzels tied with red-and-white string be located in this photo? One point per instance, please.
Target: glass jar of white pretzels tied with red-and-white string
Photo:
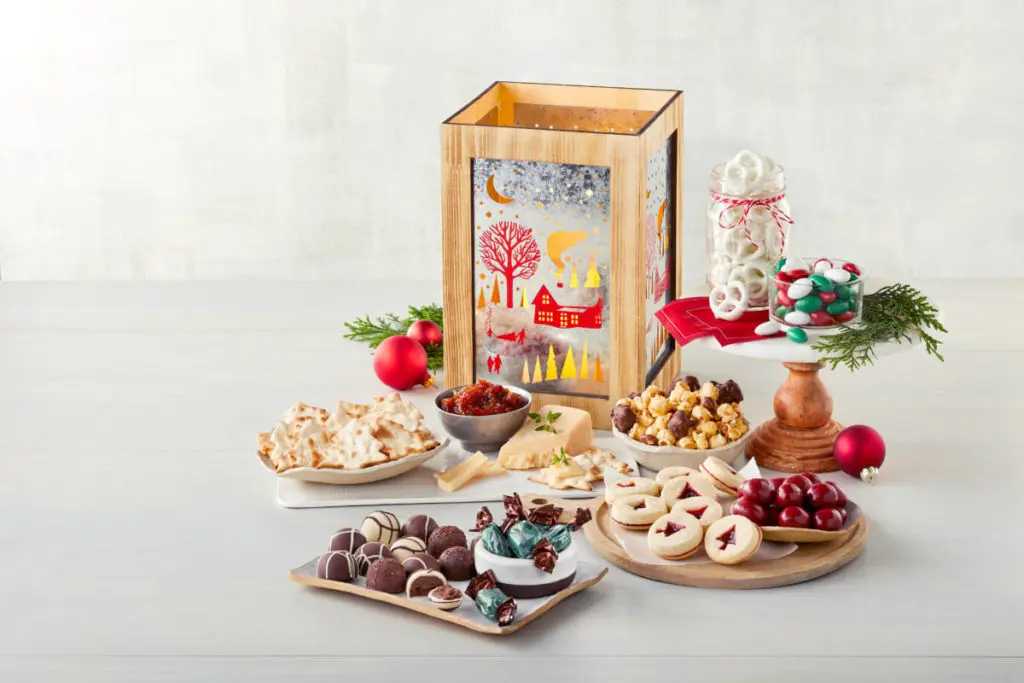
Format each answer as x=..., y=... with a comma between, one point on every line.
x=748, y=225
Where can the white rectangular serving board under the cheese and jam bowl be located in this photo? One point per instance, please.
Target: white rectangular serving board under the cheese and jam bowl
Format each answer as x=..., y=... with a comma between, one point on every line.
x=419, y=486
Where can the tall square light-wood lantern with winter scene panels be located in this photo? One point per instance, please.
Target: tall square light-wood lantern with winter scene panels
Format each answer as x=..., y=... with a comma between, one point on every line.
x=562, y=209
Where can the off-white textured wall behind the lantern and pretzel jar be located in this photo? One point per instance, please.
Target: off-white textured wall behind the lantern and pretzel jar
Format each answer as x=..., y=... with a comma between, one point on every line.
x=300, y=139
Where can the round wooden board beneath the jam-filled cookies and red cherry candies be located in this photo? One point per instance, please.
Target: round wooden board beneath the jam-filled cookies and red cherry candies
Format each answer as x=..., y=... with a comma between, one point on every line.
x=809, y=562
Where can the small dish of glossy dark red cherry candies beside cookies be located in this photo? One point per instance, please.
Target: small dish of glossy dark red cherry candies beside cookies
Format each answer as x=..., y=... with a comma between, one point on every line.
x=799, y=508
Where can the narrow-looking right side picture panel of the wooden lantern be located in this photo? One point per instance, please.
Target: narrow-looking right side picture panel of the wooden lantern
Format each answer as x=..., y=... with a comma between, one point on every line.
x=660, y=232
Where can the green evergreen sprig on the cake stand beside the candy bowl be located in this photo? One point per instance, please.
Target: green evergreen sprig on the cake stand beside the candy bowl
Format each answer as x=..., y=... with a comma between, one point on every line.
x=898, y=313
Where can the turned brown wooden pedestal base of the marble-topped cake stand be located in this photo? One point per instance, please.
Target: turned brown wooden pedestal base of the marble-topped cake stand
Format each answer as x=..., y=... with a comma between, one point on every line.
x=800, y=438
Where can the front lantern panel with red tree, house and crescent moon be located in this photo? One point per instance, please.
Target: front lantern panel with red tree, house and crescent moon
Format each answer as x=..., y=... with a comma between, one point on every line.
x=541, y=265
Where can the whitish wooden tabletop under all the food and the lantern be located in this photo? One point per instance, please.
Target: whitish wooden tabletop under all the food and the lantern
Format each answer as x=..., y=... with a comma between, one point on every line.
x=140, y=538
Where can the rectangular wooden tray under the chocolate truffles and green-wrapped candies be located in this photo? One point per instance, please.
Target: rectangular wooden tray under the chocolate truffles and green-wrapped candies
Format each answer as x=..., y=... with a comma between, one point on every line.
x=466, y=616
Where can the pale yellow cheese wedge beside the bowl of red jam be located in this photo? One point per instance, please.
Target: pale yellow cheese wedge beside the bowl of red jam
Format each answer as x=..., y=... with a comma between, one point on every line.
x=530, y=449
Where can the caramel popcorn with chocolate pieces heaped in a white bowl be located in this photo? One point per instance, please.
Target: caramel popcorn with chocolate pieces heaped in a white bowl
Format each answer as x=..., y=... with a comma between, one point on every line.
x=711, y=424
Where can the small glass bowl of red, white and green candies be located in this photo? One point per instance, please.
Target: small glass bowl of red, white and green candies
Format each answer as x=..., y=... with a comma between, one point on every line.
x=820, y=295
